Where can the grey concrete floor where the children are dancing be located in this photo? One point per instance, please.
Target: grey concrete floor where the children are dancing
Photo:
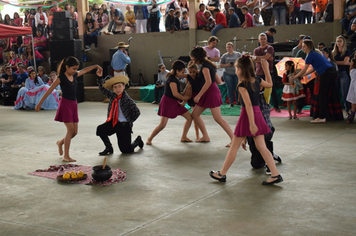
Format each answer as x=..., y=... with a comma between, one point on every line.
x=168, y=190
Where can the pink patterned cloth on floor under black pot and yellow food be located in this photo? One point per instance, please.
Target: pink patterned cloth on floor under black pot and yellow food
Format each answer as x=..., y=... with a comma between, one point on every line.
x=53, y=171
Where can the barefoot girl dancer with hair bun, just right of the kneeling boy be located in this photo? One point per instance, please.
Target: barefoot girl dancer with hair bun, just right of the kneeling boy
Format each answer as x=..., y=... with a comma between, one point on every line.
x=169, y=106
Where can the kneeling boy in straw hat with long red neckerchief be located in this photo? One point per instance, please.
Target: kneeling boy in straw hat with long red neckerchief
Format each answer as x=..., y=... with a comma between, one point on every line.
x=122, y=112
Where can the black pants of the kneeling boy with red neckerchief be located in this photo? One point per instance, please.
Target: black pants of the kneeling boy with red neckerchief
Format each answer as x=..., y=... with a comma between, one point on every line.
x=123, y=134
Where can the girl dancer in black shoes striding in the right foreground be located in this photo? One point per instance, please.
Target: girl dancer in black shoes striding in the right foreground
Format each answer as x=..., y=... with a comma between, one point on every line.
x=251, y=122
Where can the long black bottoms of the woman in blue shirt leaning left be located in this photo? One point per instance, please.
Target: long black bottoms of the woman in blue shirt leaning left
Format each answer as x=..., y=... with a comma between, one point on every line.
x=327, y=79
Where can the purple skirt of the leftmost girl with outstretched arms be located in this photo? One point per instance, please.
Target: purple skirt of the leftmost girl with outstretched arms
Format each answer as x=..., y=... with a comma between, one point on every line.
x=67, y=111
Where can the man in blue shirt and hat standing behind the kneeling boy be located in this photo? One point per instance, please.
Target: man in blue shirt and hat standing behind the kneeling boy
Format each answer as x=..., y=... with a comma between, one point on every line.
x=120, y=59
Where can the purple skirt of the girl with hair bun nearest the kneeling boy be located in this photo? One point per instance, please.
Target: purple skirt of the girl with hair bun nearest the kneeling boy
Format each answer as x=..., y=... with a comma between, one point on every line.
x=170, y=108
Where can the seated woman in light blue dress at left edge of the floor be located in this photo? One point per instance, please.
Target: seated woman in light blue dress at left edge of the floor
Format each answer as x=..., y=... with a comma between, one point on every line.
x=30, y=95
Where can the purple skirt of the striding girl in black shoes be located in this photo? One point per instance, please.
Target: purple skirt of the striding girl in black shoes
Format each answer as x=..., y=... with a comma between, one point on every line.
x=243, y=126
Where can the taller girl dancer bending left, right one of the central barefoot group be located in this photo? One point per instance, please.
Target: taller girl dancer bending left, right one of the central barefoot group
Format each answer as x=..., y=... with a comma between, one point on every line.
x=209, y=96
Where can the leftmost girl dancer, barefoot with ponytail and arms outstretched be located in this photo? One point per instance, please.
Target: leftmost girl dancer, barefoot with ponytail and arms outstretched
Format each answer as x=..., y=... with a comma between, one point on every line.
x=68, y=109
